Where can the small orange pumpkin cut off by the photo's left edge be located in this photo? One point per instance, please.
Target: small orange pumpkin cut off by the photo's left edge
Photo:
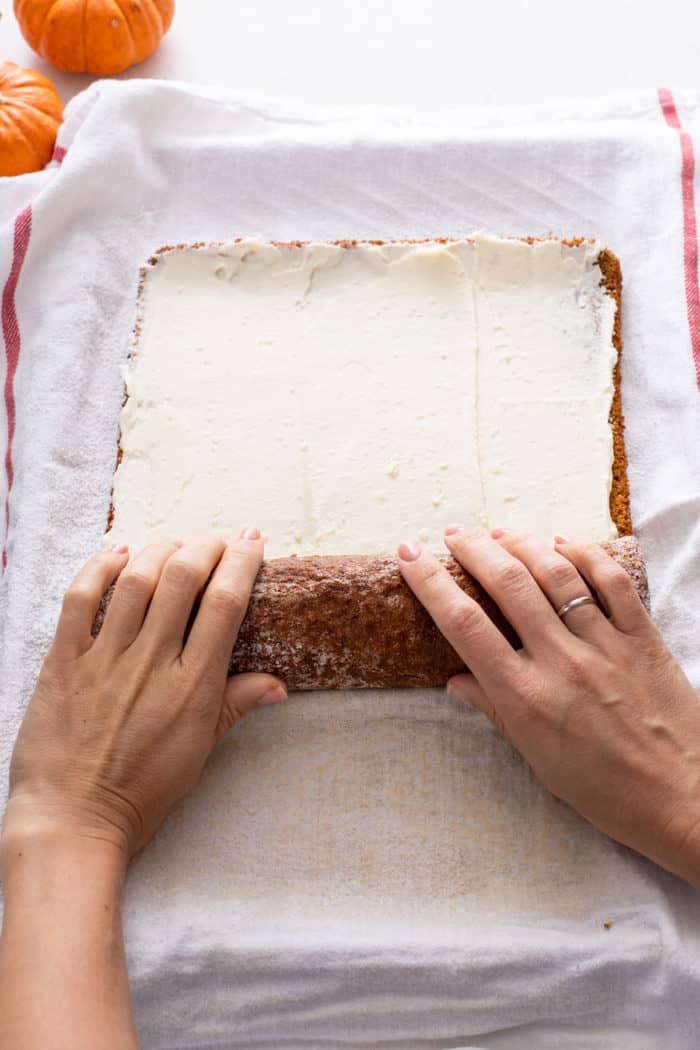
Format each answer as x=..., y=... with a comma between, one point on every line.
x=31, y=114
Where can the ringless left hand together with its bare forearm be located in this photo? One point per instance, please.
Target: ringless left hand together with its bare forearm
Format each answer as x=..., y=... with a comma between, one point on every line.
x=118, y=730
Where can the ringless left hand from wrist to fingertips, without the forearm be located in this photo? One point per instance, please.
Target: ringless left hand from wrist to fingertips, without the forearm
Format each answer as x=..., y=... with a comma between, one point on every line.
x=120, y=728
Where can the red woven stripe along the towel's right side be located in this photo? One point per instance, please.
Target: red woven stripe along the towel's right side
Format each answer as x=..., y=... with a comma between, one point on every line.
x=690, y=223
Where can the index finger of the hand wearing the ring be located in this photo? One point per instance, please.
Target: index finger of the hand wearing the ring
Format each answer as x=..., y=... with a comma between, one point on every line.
x=465, y=625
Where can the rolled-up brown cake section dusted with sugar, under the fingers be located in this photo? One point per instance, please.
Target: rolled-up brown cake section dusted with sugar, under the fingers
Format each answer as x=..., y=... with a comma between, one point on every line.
x=352, y=622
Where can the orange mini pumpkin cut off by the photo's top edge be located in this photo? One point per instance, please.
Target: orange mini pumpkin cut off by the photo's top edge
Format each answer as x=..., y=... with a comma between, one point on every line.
x=101, y=37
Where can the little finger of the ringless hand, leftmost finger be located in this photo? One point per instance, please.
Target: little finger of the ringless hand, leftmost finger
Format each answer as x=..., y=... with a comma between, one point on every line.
x=82, y=601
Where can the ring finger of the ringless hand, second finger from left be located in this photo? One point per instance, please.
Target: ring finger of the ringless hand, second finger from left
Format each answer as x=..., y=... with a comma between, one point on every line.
x=133, y=595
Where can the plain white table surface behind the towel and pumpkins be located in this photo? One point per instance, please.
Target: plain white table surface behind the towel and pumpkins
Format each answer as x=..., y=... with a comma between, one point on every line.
x=415, y=54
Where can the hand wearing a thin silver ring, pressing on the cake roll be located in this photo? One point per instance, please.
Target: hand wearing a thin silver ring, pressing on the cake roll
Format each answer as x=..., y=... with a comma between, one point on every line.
x=599, y=707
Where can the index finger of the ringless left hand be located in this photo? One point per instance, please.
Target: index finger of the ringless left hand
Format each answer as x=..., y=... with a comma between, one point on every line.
x=225, y=603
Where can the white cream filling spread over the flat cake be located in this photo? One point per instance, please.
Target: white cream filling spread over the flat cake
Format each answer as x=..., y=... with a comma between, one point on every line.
x=345, y=398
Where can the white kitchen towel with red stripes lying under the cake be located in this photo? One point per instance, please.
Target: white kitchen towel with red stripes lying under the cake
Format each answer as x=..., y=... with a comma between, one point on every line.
x=370, y=870
